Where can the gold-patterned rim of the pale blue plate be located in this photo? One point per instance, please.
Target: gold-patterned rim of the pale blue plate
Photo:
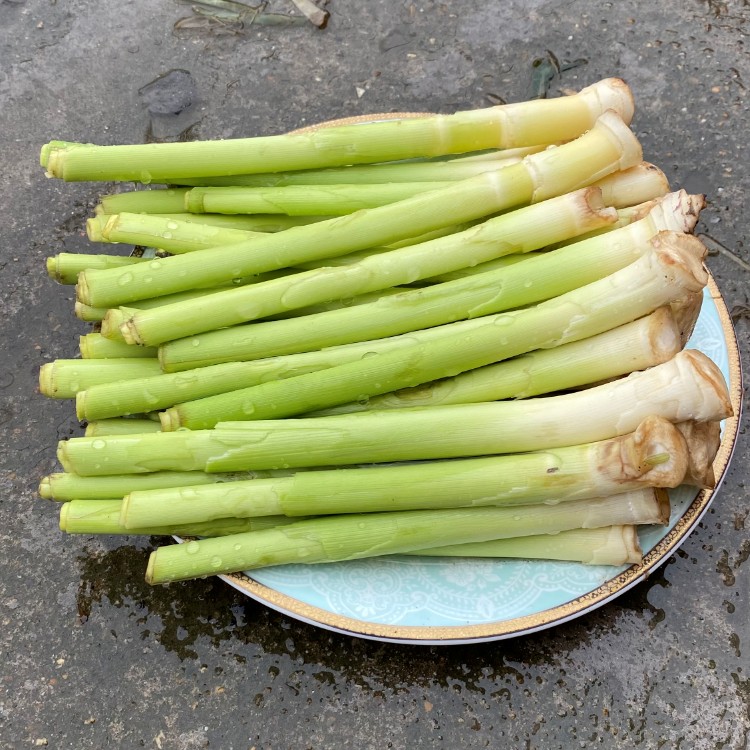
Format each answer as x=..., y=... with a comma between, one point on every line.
x=559, y=614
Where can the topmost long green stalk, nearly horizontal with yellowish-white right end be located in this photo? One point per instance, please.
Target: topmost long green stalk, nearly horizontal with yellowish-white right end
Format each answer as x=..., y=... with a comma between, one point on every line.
x=522, y=124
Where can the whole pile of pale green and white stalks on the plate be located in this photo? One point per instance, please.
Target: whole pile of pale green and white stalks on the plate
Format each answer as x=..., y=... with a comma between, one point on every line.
x=453, y=335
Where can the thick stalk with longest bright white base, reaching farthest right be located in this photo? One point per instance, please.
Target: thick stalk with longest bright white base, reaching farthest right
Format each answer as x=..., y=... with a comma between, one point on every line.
x=689, y=386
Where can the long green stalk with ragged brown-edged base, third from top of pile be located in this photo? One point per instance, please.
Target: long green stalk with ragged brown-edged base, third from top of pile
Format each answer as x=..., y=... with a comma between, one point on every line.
x=519, y=231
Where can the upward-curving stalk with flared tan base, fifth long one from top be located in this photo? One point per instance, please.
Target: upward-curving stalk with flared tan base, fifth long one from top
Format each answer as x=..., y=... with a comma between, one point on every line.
x=663, y=274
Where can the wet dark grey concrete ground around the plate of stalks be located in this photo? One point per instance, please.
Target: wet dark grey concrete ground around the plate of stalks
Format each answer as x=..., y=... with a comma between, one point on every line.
x=92, y=657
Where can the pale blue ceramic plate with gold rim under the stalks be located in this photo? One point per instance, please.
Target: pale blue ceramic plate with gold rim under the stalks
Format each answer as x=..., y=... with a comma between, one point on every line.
x=439, y=601
